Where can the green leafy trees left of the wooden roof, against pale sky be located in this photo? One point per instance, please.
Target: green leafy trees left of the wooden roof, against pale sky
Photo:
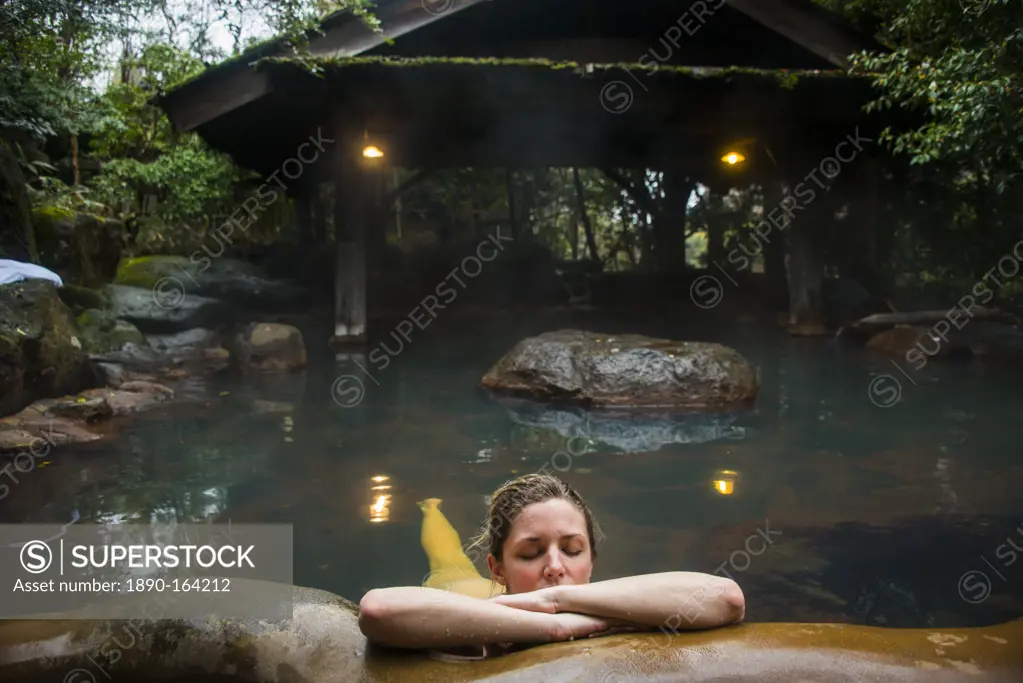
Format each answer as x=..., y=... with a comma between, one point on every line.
x=56, y=51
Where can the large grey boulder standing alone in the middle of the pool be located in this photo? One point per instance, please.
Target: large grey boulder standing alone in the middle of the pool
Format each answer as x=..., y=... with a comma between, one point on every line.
x=626, y=371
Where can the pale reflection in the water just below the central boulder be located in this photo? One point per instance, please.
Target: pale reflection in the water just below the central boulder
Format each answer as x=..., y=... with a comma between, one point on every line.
x=630, y=432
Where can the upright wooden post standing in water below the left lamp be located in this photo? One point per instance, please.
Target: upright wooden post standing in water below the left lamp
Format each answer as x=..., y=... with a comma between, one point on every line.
x=351, y=215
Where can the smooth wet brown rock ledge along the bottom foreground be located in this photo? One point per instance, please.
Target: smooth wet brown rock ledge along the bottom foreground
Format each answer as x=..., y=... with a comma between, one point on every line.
x=320, y=642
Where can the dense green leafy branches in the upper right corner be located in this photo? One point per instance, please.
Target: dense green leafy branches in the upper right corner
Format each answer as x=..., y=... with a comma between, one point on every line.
x=960, y=65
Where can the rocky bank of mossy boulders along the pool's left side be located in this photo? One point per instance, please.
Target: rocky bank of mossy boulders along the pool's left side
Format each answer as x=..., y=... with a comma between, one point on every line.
x=75, y=358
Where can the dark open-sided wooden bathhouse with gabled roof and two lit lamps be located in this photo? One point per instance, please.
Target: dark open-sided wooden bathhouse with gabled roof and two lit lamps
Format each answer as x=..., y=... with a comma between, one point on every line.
x=683, y=87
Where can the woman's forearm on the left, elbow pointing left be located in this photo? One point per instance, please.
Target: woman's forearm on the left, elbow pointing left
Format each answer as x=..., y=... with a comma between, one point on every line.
x=418, y=618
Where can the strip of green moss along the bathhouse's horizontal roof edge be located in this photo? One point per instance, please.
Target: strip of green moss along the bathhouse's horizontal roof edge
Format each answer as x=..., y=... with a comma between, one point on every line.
x=321, y=66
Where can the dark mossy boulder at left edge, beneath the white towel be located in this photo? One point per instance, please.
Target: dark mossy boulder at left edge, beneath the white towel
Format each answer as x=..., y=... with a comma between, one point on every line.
x=41, y=355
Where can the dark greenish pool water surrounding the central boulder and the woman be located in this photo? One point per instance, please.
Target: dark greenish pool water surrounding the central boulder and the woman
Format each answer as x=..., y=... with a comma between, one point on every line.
x=878, y=513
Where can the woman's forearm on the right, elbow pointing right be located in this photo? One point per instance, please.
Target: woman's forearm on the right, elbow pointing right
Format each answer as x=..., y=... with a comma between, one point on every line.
x=676, y=601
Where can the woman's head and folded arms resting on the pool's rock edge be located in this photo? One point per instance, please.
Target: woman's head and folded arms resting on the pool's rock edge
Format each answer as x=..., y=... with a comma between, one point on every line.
x=541, y=538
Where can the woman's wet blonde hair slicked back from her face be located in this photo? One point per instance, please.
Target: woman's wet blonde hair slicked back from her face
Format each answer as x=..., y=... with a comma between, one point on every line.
x=508, y=503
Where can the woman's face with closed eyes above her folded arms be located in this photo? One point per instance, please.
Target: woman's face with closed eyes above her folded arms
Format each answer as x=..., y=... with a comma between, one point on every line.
x=548, y=547
